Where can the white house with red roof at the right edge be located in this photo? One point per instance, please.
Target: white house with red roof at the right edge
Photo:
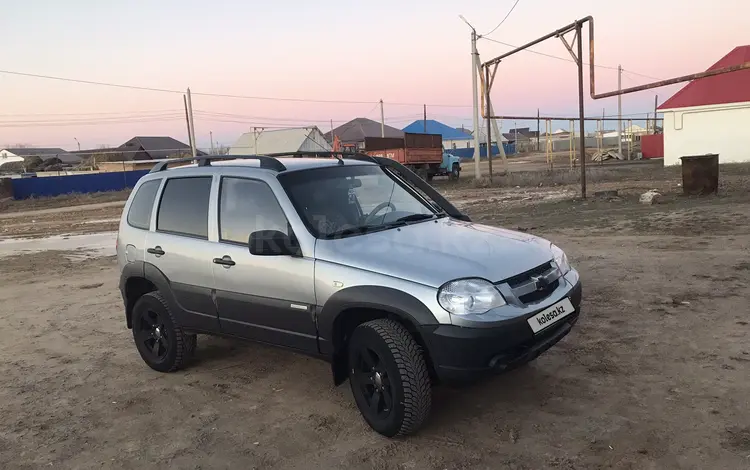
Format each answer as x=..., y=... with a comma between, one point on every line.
x=710, y=115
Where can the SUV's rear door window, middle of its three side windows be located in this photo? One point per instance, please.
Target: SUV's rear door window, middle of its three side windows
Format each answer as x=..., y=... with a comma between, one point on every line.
x=184, y=206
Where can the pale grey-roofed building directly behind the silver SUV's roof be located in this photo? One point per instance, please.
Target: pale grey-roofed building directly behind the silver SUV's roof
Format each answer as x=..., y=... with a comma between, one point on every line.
x=299, y=139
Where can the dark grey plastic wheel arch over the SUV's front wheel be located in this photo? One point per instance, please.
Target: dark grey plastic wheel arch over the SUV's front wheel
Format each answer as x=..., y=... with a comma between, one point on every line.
x=351, y=307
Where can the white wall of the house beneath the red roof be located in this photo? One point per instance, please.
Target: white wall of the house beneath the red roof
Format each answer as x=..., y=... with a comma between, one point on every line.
x=700, y=130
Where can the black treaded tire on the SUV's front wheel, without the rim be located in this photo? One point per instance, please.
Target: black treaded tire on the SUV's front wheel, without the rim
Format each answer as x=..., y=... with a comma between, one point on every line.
x=409, y=378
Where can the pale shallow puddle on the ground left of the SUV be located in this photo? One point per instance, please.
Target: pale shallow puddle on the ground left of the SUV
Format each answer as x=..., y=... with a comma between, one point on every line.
x=82, y=247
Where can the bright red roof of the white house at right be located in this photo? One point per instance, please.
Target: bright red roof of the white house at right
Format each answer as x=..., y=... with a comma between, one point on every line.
x=733, y=87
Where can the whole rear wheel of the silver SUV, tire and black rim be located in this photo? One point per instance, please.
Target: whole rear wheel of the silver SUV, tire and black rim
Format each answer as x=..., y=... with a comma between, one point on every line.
x=162, y=344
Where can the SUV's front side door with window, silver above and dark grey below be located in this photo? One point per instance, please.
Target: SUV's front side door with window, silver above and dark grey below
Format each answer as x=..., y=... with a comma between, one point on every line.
x=263, y=298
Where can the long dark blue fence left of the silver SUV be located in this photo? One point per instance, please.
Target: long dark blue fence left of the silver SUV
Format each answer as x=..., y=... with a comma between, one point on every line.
x=85, y=183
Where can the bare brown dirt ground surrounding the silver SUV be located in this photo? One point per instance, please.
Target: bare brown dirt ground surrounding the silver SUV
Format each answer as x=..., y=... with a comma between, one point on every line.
x=656, y=374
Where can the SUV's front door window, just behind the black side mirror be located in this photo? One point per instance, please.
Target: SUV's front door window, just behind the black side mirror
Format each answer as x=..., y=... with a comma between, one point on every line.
x=247, y=206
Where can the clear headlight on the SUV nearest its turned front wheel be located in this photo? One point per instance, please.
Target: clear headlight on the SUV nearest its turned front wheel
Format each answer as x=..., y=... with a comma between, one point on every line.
x=469, y=296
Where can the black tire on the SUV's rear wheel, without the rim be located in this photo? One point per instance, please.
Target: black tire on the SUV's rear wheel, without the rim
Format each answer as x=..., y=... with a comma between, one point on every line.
x=181, y=345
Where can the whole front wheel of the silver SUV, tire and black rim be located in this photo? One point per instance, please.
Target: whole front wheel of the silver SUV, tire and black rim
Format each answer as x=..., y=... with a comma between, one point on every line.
x=389, y=378
